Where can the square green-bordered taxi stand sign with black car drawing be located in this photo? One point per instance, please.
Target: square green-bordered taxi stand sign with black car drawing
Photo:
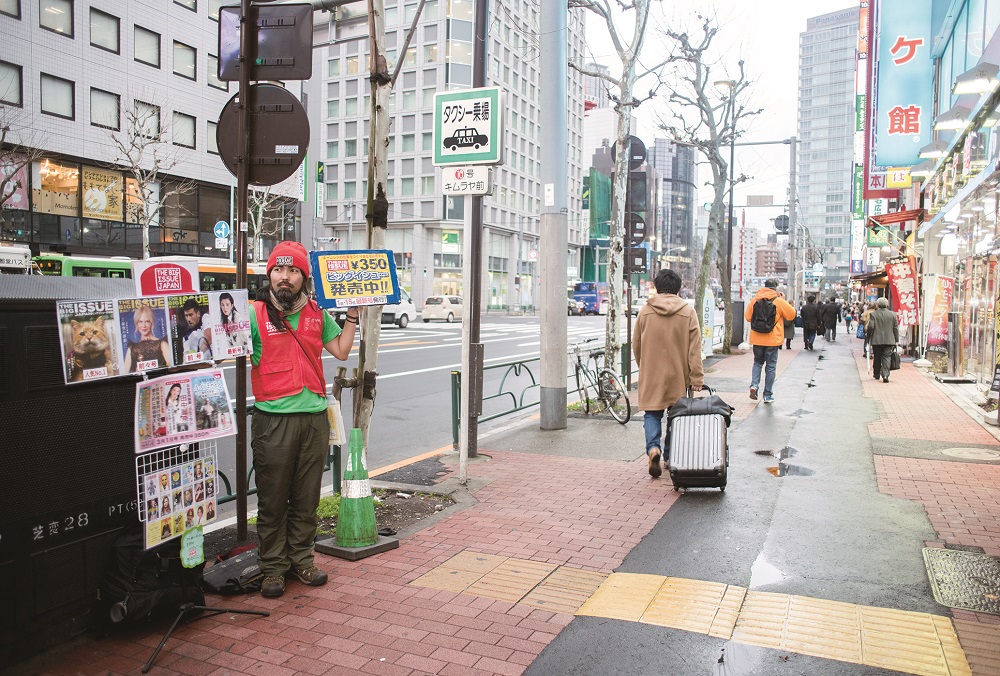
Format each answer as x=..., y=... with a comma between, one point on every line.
x=468, y=127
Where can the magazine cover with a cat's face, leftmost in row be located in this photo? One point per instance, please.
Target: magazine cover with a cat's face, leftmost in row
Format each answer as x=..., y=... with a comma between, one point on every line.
x=89, y=339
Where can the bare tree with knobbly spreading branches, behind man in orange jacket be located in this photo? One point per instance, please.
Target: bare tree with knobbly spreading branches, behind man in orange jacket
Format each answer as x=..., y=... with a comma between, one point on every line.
x=709, y=122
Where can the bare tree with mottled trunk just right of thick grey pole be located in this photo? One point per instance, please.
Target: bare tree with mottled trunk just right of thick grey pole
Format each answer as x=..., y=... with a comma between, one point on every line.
x=621, y=93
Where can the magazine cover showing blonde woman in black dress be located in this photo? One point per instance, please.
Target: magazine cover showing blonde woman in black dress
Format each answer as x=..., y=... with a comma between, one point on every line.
x=144, y=335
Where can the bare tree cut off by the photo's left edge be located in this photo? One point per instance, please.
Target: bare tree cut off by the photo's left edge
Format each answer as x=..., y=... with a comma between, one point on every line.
x=18, y=150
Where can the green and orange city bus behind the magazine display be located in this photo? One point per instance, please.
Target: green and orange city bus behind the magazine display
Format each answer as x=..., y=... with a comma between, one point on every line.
x=215, y=274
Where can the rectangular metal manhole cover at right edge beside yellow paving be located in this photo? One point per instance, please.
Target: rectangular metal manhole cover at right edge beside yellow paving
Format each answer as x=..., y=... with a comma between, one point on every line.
x=964, y=580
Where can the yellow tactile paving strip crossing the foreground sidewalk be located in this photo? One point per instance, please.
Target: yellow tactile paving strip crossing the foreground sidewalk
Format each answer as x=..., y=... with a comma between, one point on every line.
x=914, y=643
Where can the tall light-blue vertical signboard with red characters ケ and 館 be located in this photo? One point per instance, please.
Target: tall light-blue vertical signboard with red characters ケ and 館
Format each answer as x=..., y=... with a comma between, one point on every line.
x=903, y=81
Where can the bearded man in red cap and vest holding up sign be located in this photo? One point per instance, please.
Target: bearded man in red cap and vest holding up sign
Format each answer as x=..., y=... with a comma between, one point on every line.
x=290, y=431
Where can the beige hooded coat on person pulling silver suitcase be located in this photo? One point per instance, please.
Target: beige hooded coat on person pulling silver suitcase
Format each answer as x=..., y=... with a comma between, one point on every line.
x=666, y=342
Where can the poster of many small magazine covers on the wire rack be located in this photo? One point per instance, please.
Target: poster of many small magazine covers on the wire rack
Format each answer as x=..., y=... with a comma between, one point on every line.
x=178, y=498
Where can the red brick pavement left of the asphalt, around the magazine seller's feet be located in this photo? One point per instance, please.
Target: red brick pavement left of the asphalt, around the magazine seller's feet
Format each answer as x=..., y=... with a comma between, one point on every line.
x=569, y=511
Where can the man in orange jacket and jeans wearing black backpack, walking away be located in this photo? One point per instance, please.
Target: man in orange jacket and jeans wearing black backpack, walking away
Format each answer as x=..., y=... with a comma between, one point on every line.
x=767, y=314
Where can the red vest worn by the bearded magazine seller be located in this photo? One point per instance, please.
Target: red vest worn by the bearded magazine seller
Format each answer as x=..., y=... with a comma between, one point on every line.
x=284, y=367
